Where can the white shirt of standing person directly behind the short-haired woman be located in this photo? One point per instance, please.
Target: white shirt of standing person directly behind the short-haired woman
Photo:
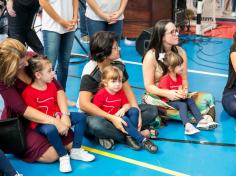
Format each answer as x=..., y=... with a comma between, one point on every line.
x=107, y=6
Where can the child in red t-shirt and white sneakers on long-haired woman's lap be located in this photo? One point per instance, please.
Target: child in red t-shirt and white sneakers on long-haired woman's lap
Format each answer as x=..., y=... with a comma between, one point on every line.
x=173, y=81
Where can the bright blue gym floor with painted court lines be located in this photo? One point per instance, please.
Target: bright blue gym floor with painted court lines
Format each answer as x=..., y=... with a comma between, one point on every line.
x=207, y=153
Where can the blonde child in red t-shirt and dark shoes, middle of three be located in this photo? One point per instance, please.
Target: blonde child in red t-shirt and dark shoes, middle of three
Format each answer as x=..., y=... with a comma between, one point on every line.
x=111, y=98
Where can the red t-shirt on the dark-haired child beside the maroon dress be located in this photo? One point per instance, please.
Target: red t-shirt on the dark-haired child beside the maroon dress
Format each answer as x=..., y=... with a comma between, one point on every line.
x=42, y=100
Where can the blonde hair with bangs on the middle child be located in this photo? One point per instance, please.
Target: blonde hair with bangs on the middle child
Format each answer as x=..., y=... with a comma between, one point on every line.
x=111, y=73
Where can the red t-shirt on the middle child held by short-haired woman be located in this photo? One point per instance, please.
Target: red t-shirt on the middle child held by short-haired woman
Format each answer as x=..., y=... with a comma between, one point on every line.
x=108, y=102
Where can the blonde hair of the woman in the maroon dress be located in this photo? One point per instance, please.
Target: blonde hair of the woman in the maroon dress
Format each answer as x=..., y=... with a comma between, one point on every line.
x=11, y=51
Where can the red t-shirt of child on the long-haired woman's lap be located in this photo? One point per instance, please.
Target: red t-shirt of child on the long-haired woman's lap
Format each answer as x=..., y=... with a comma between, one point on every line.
x=166, y=82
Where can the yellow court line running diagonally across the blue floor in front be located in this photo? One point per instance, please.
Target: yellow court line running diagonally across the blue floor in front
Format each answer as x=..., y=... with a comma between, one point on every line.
x=135, y=162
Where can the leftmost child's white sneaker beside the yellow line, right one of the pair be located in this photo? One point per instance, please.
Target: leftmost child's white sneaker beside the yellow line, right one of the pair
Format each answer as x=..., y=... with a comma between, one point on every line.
x=81, y=154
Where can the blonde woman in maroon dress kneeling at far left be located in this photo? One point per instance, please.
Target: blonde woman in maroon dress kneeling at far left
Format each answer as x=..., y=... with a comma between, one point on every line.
x=13, y=81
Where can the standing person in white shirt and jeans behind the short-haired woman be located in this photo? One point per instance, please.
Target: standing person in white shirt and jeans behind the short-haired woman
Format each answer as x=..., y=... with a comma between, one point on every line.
x=103, y=15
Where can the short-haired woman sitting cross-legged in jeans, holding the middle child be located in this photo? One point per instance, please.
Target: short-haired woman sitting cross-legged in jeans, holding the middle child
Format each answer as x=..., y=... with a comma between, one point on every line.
x=106, y=127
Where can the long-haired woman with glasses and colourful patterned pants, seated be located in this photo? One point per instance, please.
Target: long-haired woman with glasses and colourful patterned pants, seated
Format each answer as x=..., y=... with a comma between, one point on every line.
x=163, y=40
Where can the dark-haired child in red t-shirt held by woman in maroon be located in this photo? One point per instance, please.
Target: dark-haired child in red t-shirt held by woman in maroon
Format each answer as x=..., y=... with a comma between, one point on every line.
x=42, y=95
